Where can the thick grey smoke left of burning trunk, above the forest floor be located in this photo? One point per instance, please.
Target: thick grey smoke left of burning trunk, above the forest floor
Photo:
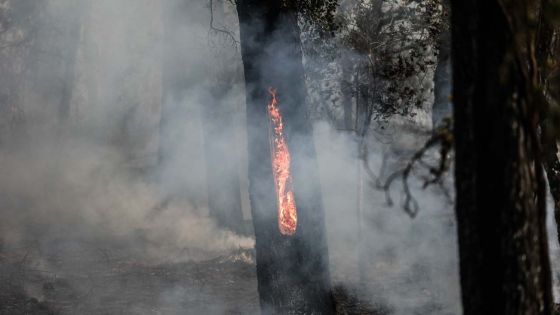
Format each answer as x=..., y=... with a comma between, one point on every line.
x=94, y=176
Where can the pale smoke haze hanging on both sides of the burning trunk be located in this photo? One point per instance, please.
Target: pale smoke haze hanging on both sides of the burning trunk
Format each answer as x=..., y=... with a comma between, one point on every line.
x=79, y=183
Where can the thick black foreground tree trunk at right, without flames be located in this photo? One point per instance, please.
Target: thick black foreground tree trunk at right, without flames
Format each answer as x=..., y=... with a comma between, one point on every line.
x=501, y=210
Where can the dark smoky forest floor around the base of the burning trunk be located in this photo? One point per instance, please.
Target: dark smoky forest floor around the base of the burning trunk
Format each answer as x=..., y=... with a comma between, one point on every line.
x=94, y=282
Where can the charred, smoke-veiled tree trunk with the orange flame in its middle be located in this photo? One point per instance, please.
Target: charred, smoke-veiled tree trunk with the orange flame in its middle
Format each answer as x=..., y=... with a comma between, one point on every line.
x=293, y=274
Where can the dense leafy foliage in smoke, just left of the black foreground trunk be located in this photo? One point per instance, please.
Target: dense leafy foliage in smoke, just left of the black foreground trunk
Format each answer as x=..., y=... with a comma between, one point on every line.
x=396, y=40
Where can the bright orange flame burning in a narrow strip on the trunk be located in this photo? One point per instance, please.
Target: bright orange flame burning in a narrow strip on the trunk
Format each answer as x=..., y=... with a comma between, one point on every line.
x=287, y=211
